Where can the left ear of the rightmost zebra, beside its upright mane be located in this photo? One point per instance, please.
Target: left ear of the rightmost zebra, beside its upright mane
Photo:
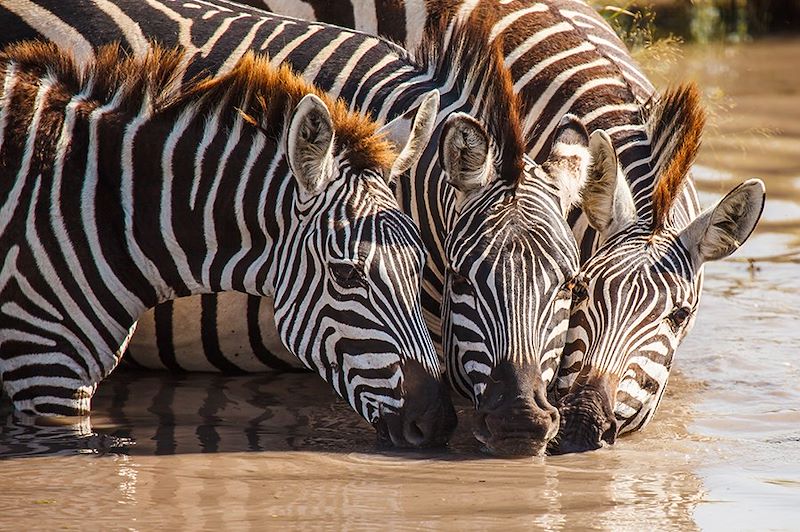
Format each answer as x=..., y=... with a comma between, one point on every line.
x=607, y=200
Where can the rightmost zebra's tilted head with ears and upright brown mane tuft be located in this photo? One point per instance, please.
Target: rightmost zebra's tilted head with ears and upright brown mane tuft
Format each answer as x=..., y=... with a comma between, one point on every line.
x=637, y=296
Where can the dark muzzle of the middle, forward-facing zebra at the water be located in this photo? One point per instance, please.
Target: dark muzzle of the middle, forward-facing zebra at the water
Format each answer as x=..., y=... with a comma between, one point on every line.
x=514, y=417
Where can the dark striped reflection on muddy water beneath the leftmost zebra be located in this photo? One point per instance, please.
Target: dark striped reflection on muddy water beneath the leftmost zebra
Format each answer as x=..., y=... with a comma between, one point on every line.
x=158, y=413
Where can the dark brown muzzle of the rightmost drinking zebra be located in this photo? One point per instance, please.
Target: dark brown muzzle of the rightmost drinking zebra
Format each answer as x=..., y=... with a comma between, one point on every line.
x=587, y=419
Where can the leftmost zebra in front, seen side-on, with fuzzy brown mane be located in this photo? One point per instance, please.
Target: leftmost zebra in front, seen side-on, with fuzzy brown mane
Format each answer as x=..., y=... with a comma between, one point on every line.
x=102, y=218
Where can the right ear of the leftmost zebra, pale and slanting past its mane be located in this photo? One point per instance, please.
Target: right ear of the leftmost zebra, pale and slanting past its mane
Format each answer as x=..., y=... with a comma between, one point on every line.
x=412, y=132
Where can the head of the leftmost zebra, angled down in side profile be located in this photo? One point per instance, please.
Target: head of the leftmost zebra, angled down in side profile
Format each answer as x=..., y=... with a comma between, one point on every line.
x=348, y=301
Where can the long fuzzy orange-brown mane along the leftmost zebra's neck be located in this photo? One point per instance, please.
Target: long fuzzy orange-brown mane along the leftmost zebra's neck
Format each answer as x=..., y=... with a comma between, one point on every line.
x=262, y=93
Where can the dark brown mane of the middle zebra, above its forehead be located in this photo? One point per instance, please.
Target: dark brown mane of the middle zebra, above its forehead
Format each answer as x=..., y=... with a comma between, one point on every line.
x=464, y=53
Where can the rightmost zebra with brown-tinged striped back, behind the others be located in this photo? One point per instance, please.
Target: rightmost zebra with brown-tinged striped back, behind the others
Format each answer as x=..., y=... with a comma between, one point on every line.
x=564, y=58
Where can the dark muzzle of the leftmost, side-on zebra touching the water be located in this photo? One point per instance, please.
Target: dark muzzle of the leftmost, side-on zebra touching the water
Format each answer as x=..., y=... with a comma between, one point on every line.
x=427, y=417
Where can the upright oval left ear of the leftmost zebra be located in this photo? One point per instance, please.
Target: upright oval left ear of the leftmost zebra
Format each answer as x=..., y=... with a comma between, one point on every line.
x=309, y=145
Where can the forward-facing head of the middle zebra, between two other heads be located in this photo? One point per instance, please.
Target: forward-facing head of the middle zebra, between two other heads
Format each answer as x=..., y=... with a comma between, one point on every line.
x=512, y=260
